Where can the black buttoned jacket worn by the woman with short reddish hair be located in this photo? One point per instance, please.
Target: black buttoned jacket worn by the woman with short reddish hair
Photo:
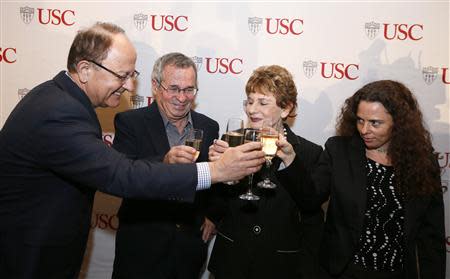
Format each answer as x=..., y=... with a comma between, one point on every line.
x=265, y=236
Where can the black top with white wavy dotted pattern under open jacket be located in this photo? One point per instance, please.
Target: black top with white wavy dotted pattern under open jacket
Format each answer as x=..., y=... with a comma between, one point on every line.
x=381, y=243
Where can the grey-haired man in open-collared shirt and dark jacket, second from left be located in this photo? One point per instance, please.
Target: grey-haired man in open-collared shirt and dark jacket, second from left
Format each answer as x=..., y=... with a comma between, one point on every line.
x=164, y=239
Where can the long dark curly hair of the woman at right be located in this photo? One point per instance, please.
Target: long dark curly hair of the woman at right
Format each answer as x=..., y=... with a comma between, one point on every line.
x=410, y=148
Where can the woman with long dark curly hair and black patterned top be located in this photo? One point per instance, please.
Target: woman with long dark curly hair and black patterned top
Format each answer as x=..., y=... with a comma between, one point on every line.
x=386, y=215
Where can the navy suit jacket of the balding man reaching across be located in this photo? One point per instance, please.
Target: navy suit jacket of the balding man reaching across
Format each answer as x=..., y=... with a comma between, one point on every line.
x=52, y=159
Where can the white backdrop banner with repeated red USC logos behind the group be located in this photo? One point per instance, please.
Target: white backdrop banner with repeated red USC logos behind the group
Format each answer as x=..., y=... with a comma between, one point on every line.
x=331, y=48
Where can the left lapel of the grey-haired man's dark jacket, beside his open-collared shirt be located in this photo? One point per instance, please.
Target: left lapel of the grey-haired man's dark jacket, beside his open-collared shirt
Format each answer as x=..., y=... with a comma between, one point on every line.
x=156, y=131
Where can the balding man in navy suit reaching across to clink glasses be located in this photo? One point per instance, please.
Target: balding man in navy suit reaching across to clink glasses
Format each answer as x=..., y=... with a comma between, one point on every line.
x=52, y=159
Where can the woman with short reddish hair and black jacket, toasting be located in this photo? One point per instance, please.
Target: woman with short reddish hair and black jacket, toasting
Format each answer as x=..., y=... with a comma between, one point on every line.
x=271, y=237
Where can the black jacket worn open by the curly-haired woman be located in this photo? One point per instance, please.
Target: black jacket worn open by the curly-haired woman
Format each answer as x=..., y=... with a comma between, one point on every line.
x=341, y=174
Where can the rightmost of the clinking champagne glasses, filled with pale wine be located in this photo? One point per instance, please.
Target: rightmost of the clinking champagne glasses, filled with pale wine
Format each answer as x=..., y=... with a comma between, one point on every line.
x=269, y=136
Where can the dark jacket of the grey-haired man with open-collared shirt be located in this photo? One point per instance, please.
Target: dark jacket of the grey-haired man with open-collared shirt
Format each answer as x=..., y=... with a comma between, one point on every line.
x=141, y=133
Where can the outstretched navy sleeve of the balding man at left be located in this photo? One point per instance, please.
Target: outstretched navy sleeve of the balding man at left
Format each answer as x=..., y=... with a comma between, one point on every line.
x=69, y=145
